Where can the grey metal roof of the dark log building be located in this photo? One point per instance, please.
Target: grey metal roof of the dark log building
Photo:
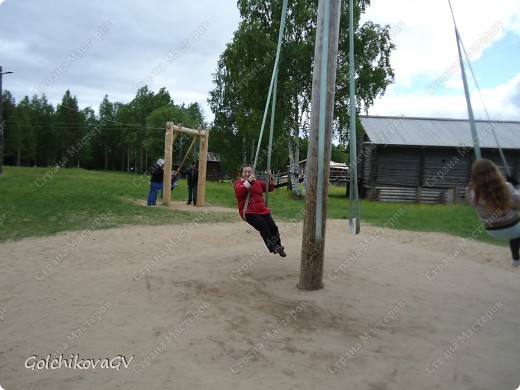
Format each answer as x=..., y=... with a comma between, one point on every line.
x=439, y=132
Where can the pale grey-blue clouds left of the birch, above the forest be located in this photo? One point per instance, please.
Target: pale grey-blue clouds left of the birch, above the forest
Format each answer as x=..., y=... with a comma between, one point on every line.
x=141, y=35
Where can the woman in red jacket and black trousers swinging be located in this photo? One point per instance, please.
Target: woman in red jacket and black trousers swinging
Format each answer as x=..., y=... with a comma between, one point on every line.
x=257, y=213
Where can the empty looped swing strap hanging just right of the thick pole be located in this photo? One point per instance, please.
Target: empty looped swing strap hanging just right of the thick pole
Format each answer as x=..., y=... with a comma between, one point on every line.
x=354, y=221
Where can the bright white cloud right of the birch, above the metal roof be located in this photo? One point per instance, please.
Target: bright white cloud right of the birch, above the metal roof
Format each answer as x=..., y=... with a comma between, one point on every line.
x=426, y=55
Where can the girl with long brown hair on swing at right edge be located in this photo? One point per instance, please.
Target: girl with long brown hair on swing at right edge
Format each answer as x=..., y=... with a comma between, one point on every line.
x=496, y=202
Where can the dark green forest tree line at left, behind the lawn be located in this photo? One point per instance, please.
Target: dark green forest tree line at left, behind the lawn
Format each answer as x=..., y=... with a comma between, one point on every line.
x=120, y=137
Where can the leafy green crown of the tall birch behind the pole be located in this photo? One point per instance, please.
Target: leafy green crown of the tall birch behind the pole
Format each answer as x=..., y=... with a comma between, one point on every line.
x=245, y=68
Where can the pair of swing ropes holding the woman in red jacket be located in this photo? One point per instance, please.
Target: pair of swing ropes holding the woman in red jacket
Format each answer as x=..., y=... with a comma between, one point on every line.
x=272, y=87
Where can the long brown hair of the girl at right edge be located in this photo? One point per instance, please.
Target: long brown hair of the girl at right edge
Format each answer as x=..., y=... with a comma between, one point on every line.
x=489, y=185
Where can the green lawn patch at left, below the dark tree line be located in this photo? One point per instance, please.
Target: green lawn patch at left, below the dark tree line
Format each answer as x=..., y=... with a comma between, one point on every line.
x=41, y=202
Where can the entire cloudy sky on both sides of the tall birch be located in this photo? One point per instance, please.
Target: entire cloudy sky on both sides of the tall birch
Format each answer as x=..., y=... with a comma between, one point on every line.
x=113, y=47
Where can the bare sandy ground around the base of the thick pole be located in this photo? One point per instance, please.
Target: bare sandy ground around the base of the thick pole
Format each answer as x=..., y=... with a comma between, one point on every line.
x=204, y=306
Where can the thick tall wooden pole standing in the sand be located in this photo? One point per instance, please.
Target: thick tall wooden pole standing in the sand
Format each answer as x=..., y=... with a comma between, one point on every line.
x=311, y=269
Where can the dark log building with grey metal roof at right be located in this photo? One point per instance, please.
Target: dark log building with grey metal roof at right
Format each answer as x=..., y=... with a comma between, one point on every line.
x=428, y=160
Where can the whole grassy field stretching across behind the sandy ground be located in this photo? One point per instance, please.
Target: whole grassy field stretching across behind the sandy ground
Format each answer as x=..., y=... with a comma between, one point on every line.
x=46, y=201
